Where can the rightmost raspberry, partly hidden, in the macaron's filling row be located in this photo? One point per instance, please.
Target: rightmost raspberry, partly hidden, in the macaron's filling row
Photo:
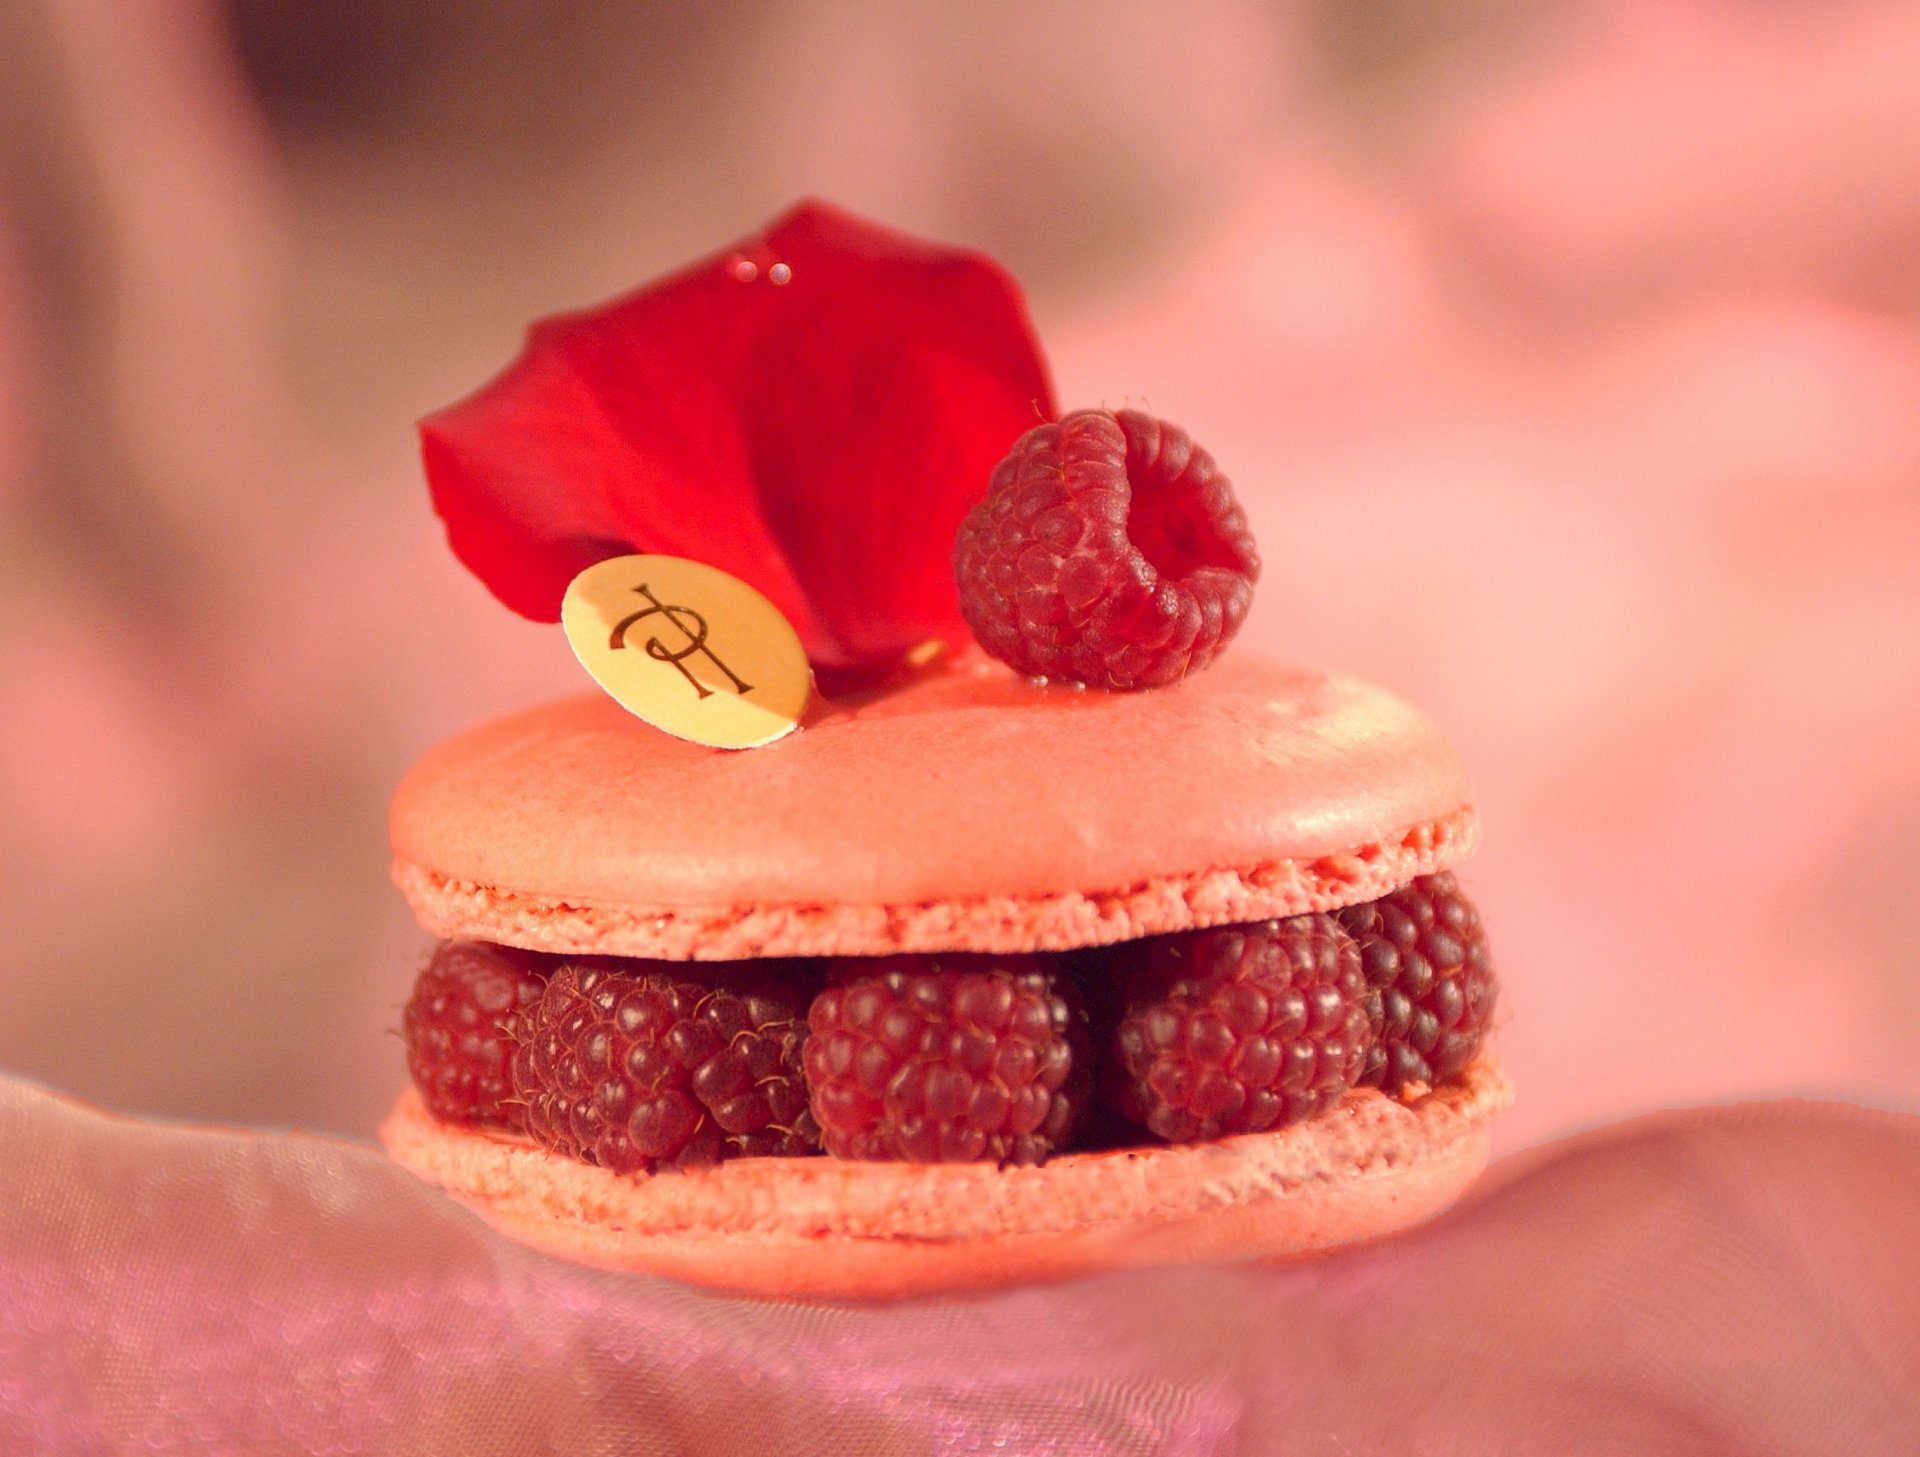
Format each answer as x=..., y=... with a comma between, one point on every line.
x=1431, y=982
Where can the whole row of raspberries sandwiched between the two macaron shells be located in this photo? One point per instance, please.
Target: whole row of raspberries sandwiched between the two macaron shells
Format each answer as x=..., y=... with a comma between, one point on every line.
x=1182, y=1038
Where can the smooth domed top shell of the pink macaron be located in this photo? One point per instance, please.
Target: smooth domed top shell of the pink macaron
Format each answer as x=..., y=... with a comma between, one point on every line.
x=969, y=809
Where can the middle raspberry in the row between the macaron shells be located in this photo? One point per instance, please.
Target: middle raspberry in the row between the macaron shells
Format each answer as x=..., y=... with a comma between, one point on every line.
x=948, y=1059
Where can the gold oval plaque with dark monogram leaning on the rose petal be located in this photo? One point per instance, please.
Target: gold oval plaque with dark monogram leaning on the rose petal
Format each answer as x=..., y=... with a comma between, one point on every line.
x=688, y=648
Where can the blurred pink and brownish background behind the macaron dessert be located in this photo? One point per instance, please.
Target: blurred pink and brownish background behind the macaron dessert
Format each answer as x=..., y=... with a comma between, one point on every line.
x=1566, y=356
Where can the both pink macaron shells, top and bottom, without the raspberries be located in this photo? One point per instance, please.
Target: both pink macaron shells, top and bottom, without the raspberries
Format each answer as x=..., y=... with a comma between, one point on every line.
x=965, y=811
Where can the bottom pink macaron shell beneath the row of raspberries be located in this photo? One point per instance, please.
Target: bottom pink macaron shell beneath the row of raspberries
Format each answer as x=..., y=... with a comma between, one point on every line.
x=876, y=1231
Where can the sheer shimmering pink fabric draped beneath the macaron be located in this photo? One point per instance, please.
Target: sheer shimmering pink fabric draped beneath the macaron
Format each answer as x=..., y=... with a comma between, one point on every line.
x=1696, y=1283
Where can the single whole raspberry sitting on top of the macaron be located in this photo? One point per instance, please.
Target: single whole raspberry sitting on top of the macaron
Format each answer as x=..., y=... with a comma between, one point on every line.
x=1109, y=552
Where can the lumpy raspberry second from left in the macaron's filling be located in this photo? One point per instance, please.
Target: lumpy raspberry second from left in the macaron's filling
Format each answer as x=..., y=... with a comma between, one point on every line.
x=636, y=1064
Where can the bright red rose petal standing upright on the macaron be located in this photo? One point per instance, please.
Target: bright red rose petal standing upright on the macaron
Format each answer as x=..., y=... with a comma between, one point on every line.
x=811, y=412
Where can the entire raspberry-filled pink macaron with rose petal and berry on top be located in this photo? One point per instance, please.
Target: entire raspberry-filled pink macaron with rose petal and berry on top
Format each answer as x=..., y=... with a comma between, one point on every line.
x=972, y=978
